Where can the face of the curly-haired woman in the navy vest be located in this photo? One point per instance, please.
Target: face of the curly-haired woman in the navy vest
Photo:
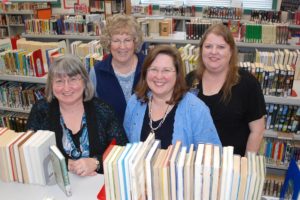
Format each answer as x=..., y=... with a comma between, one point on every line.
x=122, y=48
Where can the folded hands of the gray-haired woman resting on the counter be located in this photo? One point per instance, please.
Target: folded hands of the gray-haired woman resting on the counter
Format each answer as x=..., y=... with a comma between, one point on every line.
x=83, y=166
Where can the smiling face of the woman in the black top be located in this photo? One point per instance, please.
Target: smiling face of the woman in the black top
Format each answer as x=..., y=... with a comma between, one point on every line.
x=216, y=54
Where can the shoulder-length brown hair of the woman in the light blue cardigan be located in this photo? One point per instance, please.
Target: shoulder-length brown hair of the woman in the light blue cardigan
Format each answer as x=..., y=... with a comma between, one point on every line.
x=180, y=87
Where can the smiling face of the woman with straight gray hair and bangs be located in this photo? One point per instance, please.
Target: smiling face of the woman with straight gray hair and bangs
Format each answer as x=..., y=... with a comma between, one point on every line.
x=68, y=90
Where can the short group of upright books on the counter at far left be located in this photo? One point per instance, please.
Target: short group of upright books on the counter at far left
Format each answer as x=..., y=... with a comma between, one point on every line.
x=25, y=156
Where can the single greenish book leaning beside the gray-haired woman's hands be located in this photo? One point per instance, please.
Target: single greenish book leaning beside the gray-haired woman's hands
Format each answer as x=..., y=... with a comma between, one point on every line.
x=60, y=170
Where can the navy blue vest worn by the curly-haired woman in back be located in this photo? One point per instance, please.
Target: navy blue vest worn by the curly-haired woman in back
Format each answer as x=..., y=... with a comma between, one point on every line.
x=107, y=85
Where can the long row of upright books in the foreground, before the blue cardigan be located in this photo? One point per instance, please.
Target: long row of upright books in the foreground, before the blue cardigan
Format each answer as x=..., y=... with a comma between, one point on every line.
x=204, y=171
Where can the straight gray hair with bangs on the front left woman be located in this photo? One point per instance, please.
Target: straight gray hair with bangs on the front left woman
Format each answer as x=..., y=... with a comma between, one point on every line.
x=69, y=65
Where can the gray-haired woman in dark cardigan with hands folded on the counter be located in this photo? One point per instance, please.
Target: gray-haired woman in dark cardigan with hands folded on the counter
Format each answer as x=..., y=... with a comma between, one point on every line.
x=84, y=125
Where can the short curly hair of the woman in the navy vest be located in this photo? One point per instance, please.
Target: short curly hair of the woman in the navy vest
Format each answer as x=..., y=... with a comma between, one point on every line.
x=122, y=24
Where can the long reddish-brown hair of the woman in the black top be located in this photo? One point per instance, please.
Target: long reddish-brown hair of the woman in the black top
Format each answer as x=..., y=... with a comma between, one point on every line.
x=232, y=74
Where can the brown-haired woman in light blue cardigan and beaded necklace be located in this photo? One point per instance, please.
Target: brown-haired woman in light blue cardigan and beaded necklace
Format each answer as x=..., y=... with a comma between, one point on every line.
x=162, y=105
